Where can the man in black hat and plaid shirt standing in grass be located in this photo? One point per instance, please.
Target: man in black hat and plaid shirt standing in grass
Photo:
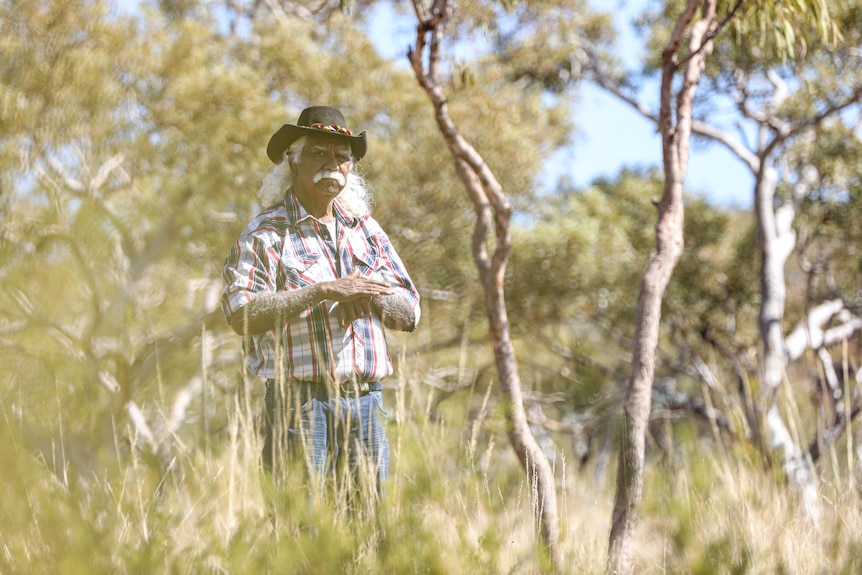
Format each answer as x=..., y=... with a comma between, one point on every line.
x=311, y=285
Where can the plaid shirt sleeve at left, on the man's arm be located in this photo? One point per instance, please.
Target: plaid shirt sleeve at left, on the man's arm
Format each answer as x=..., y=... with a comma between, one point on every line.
x=247, y=273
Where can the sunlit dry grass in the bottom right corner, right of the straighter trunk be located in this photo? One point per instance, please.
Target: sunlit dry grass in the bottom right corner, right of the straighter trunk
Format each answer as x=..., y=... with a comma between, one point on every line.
x=712, y=514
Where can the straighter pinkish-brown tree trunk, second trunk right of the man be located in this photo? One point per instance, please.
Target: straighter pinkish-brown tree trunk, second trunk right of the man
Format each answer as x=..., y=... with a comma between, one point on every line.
x=676, y=134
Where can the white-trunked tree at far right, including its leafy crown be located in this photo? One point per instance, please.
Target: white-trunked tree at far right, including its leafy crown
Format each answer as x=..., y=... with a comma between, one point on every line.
x=792, y=106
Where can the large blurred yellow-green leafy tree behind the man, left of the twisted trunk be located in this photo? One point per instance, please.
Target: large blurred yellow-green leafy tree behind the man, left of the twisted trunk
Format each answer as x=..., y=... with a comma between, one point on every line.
x=132, y=148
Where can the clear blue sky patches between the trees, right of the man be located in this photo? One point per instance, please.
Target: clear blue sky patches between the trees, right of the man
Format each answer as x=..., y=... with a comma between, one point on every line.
x=610, y=134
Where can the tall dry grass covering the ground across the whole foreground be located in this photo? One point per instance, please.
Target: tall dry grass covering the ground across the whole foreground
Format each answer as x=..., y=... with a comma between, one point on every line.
x=457, y=502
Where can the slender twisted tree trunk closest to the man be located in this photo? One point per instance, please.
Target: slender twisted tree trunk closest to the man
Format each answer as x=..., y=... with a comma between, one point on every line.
x=492, y=208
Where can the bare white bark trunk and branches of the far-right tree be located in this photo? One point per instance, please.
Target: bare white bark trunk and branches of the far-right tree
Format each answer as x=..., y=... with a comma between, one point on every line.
x=777, y=241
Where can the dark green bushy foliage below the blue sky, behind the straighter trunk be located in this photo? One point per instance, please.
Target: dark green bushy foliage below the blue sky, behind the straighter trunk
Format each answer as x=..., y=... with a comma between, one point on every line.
x=570, y=238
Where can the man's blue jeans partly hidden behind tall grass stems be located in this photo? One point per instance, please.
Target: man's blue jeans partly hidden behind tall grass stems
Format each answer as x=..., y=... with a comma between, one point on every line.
x=310, y=423
